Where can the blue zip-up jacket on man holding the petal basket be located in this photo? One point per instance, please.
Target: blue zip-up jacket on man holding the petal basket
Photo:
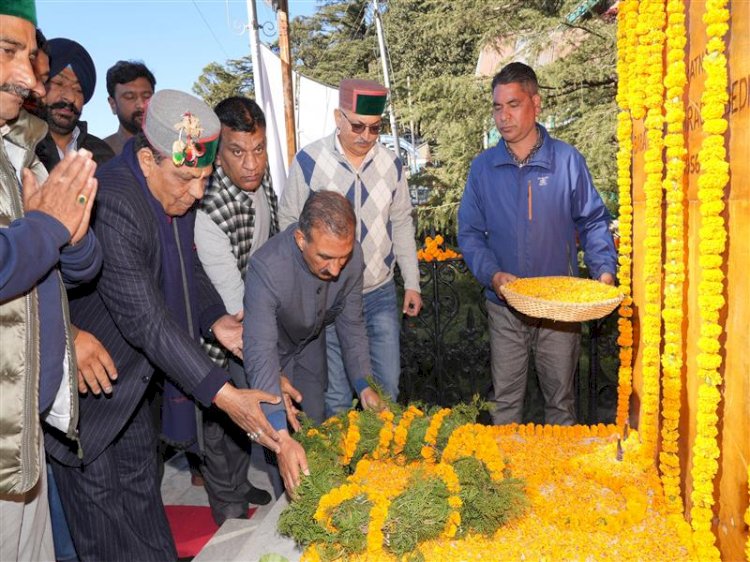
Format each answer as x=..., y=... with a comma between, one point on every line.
x=524, y=220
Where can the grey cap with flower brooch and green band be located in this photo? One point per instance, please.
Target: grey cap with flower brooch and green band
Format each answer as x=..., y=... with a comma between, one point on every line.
x=182, y=127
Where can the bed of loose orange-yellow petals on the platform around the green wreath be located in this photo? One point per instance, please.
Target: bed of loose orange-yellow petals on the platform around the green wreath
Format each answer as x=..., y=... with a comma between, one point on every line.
x=585, y=503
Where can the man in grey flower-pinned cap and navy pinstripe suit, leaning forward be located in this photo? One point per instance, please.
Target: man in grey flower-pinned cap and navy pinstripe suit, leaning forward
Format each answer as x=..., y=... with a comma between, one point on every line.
x=149, y=308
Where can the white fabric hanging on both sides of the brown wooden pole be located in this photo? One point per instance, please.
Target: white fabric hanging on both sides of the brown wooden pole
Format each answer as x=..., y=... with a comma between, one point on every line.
x=314, y=105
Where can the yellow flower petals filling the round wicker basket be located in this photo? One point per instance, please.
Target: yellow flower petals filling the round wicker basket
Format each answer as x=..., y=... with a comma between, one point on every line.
x=564, y=289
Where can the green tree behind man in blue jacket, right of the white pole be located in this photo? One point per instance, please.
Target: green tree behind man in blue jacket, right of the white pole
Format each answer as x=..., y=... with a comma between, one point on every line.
x=437, y=47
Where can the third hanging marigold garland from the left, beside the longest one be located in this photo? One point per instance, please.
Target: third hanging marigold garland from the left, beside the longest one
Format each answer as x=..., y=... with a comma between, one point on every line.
x=674, y=267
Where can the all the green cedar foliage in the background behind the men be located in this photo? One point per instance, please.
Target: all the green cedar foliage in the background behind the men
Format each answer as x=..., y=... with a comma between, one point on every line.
x=436, y=44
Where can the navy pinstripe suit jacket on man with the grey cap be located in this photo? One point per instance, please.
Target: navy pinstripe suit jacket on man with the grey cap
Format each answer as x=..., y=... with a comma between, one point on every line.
x=126, y=311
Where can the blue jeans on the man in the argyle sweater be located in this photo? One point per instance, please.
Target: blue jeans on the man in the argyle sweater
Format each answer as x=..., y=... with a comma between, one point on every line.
x=383, y=332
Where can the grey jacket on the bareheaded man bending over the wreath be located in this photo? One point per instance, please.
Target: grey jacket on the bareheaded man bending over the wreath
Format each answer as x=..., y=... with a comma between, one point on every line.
x=286, y=310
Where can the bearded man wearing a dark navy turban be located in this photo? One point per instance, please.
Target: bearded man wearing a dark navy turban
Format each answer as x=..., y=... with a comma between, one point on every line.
x=72, y=78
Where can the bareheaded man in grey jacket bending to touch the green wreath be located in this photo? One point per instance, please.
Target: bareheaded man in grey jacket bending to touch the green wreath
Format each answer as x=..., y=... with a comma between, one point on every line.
x=301, y=281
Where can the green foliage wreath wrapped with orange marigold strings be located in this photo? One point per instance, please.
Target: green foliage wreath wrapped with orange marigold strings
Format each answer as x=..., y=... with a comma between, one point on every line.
x=389, y=482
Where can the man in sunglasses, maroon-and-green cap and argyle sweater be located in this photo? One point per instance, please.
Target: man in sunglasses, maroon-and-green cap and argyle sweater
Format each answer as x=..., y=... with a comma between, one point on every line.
x=352, y=162
